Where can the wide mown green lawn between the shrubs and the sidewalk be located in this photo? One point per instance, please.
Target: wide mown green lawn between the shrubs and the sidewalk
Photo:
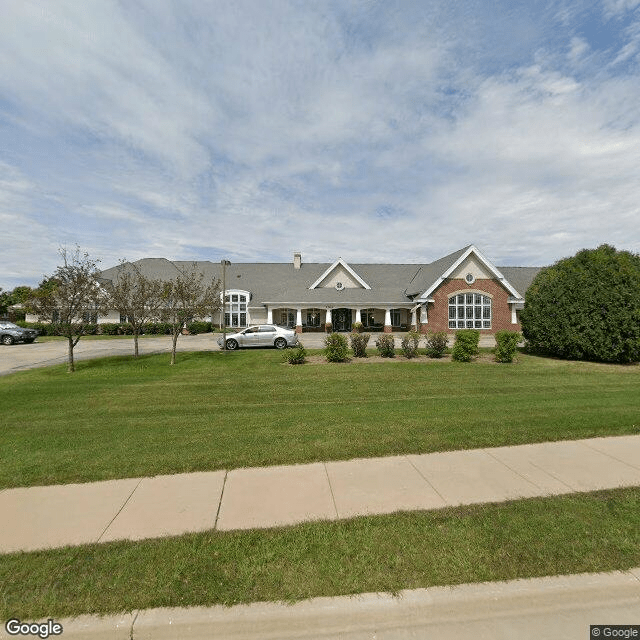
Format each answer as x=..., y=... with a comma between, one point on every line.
x=119, y=417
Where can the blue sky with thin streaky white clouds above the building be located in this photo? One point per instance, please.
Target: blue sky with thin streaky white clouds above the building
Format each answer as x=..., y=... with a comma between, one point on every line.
x=376, y=131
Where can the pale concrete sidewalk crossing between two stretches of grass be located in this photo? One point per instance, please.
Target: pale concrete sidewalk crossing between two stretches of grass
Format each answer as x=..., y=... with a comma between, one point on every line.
x=137, y=508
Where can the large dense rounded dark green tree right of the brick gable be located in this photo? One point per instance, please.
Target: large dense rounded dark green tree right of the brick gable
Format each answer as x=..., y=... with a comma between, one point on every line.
x=586, y=307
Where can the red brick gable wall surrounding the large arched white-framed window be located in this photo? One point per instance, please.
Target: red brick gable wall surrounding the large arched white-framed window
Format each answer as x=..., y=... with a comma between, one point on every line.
x=438, y=311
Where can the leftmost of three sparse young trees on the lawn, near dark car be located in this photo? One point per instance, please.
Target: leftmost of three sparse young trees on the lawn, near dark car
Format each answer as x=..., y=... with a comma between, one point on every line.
x=73, y=296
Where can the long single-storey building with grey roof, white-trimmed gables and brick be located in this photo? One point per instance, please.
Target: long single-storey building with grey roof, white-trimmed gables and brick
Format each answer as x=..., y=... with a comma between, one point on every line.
x=461, y=290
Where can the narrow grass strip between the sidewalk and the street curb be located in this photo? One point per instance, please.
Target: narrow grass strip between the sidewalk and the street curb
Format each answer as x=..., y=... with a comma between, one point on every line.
x=527, y=538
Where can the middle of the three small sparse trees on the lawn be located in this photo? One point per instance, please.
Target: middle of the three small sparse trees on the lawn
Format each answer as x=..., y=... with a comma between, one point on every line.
x=136, y=297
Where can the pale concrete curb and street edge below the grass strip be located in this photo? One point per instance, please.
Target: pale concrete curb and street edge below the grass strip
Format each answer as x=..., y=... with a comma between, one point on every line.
x=539, y=608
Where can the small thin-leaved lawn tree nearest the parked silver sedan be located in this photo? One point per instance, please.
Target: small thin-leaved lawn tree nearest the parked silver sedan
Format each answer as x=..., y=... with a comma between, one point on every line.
x=187, y=296
